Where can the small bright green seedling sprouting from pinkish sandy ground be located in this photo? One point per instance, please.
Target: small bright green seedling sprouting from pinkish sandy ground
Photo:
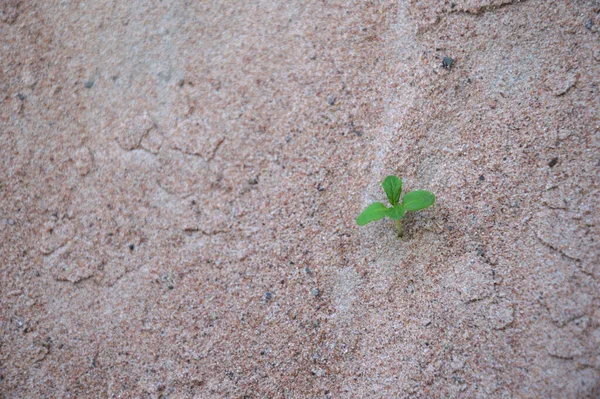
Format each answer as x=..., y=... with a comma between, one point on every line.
x=413, y=201
